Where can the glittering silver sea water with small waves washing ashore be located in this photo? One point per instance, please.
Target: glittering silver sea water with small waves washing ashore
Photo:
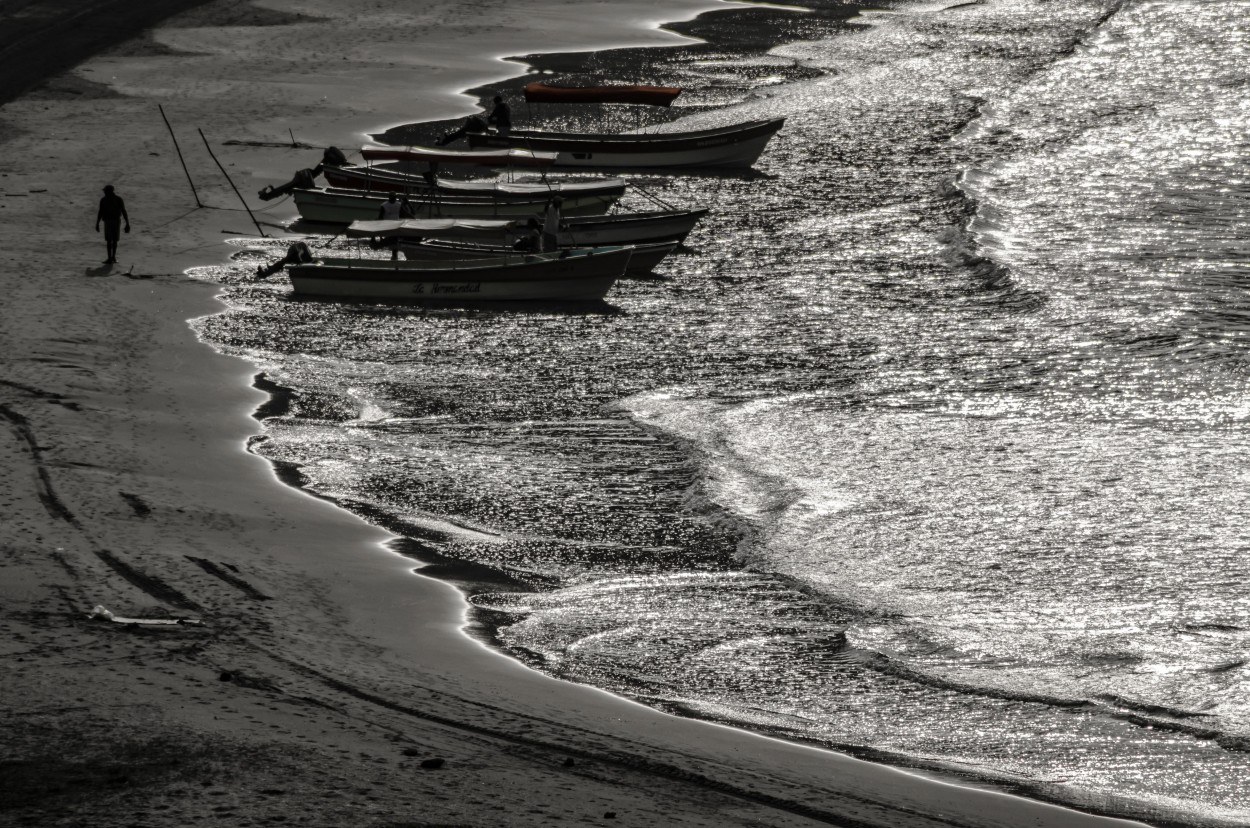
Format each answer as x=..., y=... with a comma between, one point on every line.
x=931, y=447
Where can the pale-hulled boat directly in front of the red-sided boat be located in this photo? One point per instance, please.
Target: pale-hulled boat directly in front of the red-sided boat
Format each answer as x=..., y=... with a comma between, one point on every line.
x=331, y=206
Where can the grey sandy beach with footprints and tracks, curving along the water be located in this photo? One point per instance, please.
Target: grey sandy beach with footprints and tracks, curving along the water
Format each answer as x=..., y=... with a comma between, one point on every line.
x=314, y=680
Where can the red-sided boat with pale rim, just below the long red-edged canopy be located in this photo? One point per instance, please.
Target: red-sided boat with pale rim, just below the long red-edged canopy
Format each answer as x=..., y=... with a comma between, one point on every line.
x=378, y=179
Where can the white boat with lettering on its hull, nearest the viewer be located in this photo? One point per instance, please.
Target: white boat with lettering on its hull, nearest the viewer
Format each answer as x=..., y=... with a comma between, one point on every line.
x=569, y=276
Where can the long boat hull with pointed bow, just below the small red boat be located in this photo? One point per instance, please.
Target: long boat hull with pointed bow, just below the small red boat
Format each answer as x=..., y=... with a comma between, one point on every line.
x=736, y=147
